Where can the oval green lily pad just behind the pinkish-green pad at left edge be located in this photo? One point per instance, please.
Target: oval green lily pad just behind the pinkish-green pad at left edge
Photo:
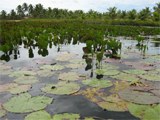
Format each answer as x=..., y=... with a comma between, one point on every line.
x=26, y=80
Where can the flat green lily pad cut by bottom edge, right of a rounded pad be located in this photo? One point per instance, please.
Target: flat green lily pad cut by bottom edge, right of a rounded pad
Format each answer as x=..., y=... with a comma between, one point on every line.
x=66, y=116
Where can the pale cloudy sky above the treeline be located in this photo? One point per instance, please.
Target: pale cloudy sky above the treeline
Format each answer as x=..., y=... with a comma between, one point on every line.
x=85, y=5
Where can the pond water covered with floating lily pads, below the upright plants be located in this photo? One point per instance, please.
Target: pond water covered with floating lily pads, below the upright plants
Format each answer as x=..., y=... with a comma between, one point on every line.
x=35, y=70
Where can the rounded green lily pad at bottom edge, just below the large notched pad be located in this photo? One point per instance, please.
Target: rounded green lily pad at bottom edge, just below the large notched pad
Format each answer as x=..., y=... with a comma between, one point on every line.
x=40, y=115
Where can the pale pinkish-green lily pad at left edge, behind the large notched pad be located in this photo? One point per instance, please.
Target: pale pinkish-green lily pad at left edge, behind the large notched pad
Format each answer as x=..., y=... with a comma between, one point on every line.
x=14, y=88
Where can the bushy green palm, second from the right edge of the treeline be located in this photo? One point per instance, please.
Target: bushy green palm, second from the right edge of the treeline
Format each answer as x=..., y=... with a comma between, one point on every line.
x=144, y=13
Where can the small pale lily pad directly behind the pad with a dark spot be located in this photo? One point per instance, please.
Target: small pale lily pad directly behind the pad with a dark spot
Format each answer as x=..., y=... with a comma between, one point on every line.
x=70, y=76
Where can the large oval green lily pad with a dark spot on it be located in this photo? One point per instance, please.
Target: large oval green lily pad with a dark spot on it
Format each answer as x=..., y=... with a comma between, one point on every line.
x=61, y=88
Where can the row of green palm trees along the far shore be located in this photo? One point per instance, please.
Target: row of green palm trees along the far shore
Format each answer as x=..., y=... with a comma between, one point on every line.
x=25, y=11
